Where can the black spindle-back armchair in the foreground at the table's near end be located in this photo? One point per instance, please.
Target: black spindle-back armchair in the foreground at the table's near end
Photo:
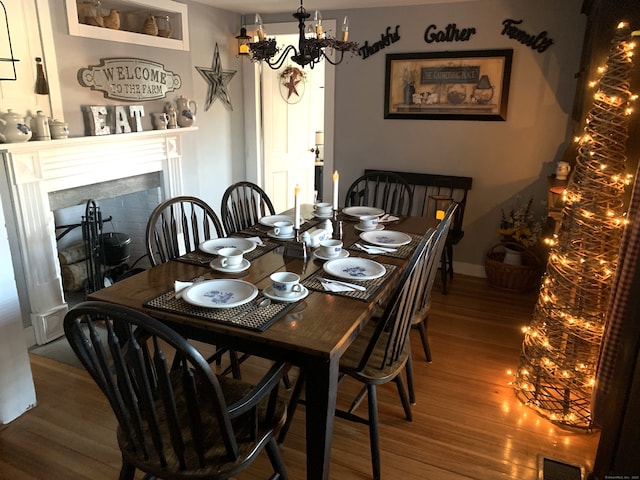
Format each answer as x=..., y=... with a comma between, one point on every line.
x=176, y=418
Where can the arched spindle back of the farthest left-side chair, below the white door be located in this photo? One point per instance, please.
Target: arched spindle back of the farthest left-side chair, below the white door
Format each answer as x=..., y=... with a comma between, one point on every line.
x=243, y=204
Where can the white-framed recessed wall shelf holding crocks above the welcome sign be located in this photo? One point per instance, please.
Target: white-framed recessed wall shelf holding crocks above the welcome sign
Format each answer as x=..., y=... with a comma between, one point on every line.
x=135, y=10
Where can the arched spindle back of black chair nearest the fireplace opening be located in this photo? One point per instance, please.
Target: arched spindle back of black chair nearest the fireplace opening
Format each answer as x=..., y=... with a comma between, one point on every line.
x=177, y=226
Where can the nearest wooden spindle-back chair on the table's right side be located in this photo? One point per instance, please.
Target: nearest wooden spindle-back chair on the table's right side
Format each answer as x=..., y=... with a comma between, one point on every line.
x=379, y=353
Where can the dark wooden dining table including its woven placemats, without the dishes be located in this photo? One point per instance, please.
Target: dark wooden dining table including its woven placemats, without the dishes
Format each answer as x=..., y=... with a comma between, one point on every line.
x=311, y=333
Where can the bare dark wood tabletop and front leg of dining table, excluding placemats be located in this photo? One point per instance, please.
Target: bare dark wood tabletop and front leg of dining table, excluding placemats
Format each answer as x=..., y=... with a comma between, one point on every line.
x=312, y=334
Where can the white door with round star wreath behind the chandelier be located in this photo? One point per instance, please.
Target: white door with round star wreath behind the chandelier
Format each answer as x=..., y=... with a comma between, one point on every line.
x=281, y=131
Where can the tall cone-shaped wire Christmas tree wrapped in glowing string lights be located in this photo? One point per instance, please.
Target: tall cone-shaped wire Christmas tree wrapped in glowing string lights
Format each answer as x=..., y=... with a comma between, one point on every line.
x=560, y=350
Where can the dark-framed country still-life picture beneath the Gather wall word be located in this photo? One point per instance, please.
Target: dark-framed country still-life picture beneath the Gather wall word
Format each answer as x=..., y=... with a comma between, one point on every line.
x=467, y=85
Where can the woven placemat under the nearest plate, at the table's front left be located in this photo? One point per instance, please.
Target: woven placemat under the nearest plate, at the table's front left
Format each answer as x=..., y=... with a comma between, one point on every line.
x=248, y=315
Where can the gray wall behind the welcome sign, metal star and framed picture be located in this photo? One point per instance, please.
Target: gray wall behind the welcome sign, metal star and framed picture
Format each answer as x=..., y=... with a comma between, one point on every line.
x=507, y=159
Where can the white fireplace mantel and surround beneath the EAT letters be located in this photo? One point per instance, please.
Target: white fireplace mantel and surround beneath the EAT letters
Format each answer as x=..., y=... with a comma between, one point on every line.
x=36, y=169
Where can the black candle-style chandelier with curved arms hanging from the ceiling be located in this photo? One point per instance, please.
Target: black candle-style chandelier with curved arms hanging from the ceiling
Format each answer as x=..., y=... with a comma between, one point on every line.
x=312, y=43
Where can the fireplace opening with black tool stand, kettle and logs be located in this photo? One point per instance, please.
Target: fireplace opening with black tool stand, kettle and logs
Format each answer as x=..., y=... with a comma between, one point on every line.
x=102, y=241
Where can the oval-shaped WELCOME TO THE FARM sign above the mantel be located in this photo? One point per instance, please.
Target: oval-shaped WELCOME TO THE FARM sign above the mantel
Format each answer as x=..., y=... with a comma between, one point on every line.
x=129, y=79
